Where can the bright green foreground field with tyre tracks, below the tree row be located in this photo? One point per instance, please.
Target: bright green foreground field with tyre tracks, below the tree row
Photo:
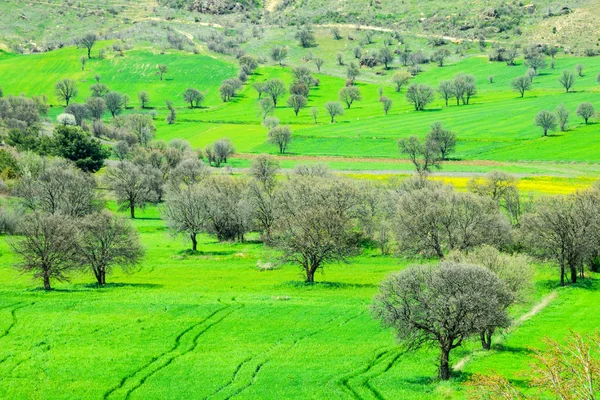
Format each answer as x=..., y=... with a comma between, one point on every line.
x=212, y=324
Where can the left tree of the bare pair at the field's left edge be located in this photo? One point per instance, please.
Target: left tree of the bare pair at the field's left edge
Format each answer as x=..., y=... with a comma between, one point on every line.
x=47, y=247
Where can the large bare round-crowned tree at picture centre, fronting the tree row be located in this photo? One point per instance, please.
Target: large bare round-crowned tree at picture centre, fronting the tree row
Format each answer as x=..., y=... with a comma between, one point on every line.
x=315, y=223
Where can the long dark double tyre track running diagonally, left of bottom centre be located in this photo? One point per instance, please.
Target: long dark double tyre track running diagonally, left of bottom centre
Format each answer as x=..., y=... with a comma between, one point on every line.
x=138, y=377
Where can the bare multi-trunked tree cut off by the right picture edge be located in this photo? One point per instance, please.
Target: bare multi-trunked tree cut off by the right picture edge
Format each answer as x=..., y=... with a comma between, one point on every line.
x=564, y=229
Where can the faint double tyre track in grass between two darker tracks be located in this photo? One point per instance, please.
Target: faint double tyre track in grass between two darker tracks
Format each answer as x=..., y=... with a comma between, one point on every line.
x=265, y=358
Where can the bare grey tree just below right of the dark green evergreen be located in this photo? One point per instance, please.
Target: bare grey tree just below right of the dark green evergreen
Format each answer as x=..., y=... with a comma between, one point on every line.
x=131, y=185
